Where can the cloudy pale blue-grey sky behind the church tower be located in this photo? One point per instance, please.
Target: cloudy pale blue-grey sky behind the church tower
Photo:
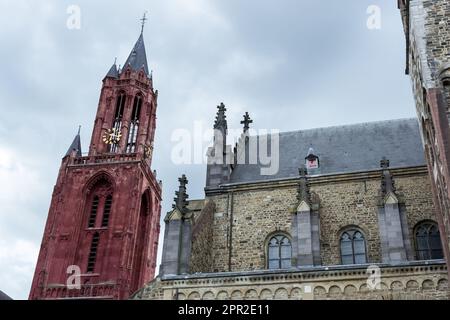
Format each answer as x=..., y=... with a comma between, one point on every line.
x=292, y=64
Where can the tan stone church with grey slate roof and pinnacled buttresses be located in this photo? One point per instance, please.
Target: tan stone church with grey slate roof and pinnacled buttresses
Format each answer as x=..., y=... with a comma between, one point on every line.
x=348, y=215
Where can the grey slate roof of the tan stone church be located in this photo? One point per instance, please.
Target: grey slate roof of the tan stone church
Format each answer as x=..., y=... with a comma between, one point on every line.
x=343, y=149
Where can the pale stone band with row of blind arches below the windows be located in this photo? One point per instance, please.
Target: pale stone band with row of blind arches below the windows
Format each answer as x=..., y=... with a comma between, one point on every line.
x=408, y=282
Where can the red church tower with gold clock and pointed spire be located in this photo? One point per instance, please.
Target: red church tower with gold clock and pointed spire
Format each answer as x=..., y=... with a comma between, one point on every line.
x=104, y=215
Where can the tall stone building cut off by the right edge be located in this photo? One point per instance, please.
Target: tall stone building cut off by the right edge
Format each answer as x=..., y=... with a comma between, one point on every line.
x=426, y=24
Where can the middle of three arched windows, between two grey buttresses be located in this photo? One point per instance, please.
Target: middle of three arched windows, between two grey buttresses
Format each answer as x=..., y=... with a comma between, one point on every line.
x=353, y=247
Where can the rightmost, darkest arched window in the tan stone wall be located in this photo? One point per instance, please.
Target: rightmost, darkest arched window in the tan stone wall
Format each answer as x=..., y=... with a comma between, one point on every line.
x=428, y=241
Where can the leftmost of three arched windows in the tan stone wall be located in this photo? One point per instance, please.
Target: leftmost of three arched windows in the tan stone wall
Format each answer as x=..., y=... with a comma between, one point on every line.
x=279, y=252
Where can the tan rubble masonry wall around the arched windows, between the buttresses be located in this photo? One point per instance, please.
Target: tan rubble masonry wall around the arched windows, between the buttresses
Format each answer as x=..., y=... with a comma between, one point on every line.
x=259, y=213
